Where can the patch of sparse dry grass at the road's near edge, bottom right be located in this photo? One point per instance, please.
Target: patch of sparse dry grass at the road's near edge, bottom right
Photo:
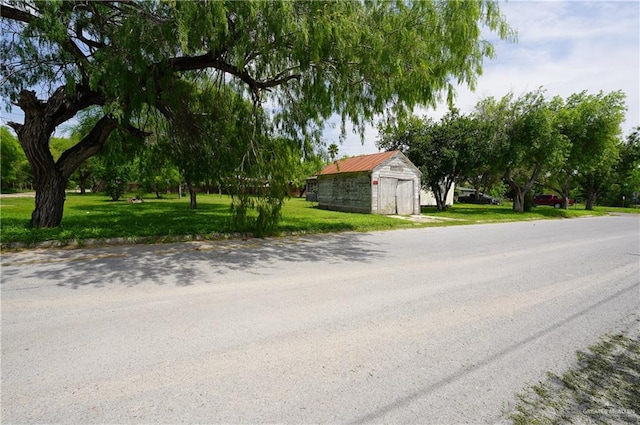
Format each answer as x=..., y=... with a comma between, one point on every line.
x=603, y=386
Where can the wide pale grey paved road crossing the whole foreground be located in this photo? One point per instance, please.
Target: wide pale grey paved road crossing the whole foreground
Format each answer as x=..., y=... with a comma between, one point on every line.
x=438, y=325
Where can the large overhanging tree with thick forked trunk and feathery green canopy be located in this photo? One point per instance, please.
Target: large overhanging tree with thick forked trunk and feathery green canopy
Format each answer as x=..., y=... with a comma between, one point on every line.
x=306, y=60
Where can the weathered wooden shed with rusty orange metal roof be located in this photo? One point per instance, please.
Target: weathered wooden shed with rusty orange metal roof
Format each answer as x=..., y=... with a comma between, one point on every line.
x=382, y=183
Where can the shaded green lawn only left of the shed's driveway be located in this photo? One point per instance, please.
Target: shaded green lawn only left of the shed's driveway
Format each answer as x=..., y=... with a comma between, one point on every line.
x=170, y=219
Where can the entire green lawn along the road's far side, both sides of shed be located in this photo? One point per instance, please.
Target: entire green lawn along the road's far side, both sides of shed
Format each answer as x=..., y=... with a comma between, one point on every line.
x=93, y=216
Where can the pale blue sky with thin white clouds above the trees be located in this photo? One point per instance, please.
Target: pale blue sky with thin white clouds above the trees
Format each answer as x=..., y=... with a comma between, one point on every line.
x=564, y=47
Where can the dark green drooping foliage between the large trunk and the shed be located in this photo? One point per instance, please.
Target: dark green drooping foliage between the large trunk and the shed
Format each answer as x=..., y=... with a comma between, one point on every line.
x=217, y=135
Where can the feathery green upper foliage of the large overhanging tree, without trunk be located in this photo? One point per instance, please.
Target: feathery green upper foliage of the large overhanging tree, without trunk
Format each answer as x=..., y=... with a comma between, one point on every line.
x=355, y=58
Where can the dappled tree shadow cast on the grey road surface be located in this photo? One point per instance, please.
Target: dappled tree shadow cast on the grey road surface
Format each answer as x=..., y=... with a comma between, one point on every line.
x=186, y=264
